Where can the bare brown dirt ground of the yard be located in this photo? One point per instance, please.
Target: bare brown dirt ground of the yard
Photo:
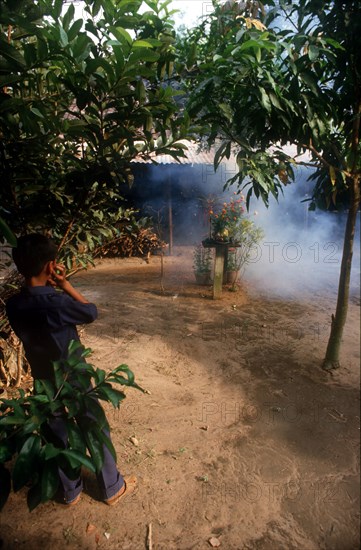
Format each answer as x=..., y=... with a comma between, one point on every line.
x=242, y=442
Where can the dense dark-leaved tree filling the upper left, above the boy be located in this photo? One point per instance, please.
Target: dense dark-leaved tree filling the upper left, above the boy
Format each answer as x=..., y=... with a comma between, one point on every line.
x=81, y=95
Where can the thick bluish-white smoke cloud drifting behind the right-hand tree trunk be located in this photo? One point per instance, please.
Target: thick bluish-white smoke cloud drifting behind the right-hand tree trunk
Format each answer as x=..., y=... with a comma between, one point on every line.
x=301, y=249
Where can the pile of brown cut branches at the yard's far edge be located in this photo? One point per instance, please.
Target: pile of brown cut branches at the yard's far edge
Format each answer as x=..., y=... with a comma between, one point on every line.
x=141, y=243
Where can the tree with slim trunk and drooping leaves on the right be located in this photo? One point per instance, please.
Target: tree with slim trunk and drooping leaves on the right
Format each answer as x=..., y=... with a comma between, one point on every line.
x=262, y=76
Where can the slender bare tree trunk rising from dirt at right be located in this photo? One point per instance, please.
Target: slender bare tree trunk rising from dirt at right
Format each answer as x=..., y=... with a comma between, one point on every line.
x=332, y=359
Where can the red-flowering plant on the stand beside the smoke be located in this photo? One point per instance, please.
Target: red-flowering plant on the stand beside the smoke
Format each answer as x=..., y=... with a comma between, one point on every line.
x=225, y=223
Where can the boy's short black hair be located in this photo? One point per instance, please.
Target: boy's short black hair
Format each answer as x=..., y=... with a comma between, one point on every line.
x=32, y=252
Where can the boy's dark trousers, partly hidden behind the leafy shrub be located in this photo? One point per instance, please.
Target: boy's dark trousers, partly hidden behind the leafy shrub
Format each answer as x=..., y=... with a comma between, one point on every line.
x=109, y=478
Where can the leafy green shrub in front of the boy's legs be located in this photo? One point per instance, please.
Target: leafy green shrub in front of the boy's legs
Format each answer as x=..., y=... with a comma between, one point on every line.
x=28, y=453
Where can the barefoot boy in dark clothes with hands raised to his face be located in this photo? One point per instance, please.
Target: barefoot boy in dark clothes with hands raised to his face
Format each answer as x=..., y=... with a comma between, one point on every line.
x=45, y=321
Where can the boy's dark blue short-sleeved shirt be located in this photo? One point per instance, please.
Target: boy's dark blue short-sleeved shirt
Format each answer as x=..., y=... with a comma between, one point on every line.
x=45, y=321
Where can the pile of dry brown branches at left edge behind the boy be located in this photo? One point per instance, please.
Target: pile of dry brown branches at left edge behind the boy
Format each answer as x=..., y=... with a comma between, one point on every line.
x=13, y=364
